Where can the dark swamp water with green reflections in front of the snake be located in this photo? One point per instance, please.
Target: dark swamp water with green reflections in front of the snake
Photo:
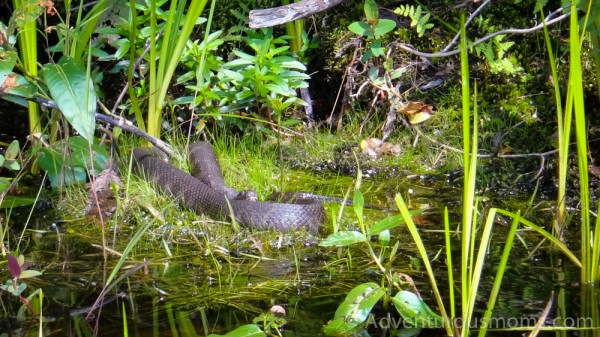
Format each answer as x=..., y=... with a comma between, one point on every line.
x=192, y=277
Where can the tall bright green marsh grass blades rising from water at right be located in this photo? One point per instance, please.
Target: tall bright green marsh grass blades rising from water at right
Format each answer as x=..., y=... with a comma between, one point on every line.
x=473, y=256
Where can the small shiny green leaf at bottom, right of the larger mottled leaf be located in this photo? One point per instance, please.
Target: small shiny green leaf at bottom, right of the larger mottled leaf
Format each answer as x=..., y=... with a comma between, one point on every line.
x=416, y=312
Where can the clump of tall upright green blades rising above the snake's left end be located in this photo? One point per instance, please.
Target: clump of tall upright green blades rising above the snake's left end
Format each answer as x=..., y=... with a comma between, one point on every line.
x=166, y=32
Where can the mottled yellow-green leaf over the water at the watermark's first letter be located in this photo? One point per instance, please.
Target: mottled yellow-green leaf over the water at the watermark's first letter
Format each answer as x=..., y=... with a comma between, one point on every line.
x=355, y=309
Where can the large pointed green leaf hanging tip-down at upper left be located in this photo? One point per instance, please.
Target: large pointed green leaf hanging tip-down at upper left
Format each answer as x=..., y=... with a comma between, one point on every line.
x=73, y=93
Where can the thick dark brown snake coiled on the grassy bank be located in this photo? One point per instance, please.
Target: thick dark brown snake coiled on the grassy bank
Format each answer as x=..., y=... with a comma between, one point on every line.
x=204, y=191
